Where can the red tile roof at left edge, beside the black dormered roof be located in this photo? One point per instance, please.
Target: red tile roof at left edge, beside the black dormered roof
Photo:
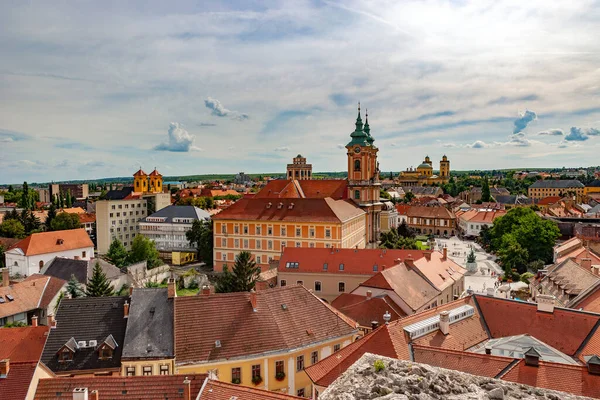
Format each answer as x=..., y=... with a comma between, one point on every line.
x=23, y=344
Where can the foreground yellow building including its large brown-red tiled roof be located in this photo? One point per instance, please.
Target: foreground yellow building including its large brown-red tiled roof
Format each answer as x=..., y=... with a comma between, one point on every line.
x=259, y=339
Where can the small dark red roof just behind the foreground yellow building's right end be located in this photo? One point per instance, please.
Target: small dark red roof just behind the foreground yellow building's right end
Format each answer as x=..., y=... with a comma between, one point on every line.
x=364, y=310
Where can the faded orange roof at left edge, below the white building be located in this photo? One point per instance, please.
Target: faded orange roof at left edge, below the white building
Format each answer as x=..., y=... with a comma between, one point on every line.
x=35, y=292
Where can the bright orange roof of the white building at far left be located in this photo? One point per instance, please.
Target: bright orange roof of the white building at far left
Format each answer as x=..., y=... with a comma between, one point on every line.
x=53, y=242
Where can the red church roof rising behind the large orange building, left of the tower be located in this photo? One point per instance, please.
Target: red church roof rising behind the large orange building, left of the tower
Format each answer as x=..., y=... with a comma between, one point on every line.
x=310, y=189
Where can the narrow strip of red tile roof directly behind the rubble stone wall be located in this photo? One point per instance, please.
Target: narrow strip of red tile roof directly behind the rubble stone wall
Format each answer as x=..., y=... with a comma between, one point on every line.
x=472, y=363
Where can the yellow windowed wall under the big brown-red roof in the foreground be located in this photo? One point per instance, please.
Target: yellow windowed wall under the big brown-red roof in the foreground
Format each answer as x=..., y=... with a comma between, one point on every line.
x=295, y=382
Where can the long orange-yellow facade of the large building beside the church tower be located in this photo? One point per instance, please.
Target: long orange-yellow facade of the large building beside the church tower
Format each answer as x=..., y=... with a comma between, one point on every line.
x=266, y=241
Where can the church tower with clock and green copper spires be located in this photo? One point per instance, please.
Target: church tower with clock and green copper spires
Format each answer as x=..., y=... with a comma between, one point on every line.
x=363, y=177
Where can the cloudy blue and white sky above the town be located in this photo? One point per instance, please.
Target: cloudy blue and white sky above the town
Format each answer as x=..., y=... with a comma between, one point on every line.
x=93, y=89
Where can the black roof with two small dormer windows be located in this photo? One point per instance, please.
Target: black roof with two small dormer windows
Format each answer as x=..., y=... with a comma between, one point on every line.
x=85, y=319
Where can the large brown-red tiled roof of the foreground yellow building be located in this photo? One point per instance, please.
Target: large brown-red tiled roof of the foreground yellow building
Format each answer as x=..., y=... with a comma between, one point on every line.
x=285, y=318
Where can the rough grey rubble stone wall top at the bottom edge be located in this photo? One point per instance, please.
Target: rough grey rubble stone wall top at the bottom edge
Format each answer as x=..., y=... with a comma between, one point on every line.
x=405, y=380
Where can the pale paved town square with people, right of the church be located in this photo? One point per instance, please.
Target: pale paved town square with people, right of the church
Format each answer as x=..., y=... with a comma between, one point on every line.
x=486, y=265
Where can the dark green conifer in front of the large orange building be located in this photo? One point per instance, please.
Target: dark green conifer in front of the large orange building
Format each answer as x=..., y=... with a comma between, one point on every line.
x=242, y=277
